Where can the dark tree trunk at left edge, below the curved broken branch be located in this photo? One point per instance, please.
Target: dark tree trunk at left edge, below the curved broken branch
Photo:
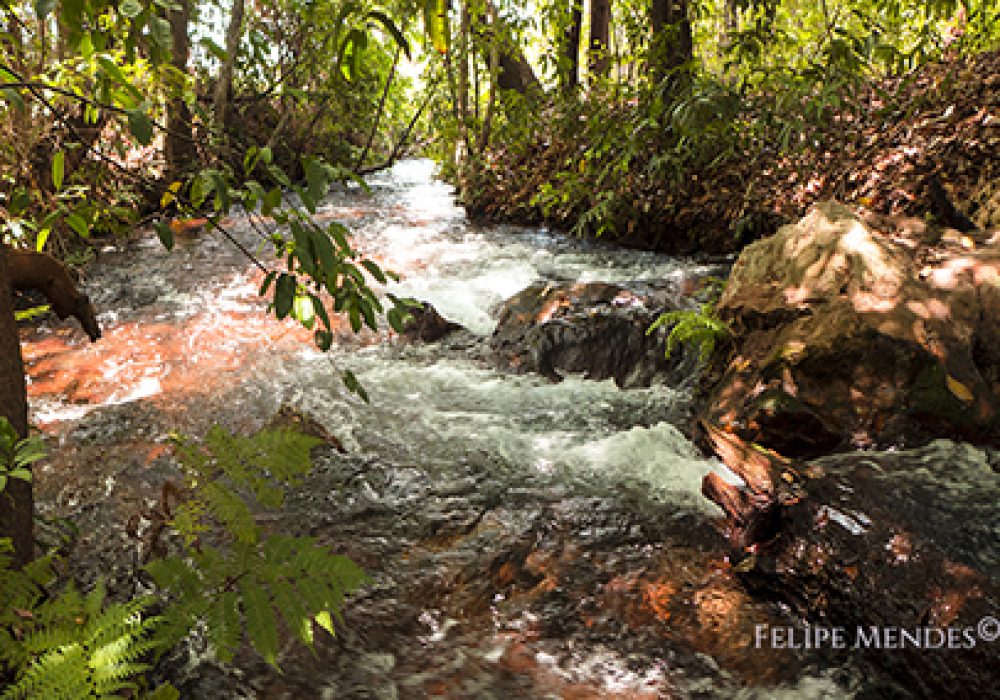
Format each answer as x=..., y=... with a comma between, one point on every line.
x=16, y=504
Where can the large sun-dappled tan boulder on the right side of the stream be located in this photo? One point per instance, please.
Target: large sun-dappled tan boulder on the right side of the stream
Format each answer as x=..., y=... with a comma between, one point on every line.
x=843, y=335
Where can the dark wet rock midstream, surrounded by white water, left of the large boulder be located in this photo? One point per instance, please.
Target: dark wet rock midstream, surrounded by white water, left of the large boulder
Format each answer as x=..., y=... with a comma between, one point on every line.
x=595, y=328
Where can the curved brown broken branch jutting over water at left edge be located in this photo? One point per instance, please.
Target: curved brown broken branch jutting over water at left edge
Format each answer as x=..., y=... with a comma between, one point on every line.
x=29, y=270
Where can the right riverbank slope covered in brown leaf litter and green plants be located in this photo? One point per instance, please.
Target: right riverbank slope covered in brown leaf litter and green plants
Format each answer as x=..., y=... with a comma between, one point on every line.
x=920, y=145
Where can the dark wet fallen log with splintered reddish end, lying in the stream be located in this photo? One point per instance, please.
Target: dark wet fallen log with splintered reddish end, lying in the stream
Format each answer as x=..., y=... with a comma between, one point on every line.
x=846, y=547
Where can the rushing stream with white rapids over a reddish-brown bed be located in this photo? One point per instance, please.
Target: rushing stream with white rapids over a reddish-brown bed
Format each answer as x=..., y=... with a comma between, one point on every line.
x=526, y=539
